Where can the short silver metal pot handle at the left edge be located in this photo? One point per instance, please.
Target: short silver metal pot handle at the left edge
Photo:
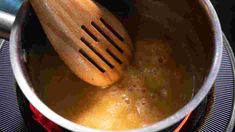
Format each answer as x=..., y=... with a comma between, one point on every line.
x=6, y=22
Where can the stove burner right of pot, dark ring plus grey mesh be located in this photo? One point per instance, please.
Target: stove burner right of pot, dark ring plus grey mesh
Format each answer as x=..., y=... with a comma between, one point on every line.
x=217, y=111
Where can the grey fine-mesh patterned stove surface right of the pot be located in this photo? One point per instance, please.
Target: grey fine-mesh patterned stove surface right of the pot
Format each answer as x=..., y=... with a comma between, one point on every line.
x=220, y=115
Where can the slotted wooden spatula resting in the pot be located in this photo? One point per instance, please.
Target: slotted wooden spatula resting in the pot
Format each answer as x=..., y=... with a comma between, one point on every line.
x=88, y=38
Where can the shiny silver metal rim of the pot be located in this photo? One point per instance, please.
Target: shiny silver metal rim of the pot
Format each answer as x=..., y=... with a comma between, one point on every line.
x=23, y=80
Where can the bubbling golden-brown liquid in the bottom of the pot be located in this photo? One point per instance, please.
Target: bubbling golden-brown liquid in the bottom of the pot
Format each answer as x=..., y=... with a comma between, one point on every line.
x=153, y=88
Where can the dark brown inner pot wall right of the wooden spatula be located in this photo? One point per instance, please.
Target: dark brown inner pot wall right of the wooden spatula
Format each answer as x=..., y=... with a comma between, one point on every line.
x=184, y=24
